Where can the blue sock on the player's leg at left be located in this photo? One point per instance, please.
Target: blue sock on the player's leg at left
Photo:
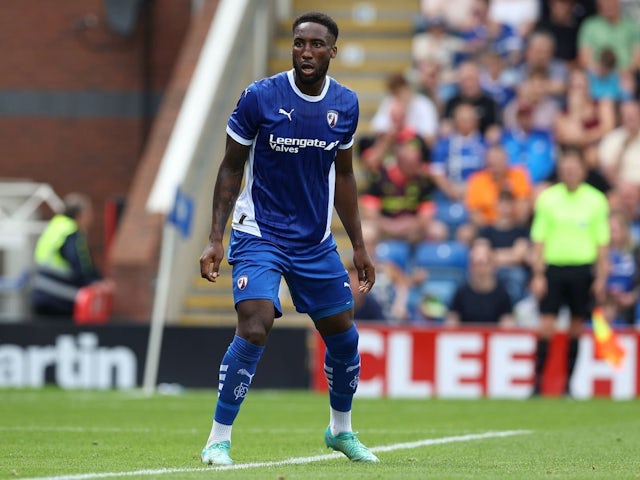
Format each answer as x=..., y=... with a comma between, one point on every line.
x=237, y=369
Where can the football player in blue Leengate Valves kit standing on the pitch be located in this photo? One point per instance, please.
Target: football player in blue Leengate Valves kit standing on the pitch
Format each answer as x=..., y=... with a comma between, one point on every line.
x=290, y=137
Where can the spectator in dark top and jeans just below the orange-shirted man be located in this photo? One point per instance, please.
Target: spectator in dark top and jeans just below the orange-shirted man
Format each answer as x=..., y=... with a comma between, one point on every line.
x=508, y=236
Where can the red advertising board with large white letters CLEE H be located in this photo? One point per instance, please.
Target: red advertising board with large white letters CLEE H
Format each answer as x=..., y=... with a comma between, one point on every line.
x=479, y=362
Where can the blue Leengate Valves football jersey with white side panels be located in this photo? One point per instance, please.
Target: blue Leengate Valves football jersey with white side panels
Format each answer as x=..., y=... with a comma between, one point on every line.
x=289, y=177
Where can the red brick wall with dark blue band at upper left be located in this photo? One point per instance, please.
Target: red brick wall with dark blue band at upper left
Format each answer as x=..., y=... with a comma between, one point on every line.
x=73, y=109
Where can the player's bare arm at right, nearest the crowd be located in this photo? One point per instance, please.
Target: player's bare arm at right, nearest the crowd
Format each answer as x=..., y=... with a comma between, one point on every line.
x=346, y=204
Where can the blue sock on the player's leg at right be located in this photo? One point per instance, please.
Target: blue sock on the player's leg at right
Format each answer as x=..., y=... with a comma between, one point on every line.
x=342, y=368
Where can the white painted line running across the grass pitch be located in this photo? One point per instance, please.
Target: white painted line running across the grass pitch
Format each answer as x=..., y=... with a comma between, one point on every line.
x=290, y=461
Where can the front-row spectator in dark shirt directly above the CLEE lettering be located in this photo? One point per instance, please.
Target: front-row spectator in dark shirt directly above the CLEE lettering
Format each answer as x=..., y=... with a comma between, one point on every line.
x=481, y=298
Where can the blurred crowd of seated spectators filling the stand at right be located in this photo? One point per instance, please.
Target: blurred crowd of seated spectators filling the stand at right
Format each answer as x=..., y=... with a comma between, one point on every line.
x=466, y=141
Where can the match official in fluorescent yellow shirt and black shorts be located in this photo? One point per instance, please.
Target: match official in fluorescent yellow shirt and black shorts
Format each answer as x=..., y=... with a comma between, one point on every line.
x=570, y=234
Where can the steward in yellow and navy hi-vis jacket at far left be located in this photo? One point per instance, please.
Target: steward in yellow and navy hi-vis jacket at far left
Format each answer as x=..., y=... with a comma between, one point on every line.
x=63, y=261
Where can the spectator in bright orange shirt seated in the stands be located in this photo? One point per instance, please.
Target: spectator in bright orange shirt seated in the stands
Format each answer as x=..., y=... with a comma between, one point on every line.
x=484, y=187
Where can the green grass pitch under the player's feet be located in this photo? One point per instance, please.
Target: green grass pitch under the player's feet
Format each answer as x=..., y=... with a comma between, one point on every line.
x=76, y=435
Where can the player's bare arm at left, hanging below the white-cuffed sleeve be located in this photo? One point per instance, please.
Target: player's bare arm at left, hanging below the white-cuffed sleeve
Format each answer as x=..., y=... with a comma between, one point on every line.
x=225, y=193
